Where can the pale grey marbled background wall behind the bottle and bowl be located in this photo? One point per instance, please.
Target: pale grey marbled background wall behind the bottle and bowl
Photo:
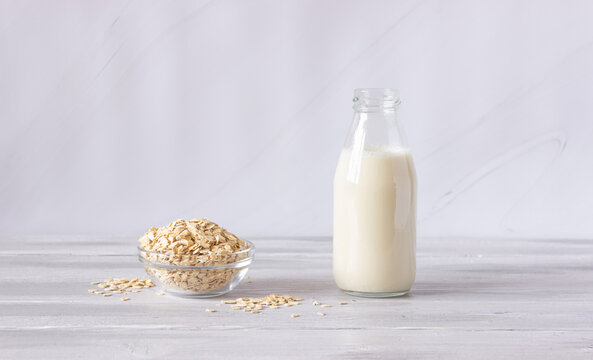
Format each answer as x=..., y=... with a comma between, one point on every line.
x=119, y=115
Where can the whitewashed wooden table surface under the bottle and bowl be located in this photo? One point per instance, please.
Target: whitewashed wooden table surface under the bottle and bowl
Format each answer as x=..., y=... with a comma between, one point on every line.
x=473, y=299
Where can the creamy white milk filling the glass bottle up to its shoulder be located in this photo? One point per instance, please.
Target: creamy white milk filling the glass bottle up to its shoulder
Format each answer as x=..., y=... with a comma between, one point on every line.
x=375, y=221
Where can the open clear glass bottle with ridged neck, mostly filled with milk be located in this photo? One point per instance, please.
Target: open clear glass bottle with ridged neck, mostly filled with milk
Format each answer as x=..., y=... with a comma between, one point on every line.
x=374, y=243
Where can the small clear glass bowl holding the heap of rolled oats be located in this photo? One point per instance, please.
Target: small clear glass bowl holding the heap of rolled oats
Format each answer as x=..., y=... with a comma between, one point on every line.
x=197, y=276
